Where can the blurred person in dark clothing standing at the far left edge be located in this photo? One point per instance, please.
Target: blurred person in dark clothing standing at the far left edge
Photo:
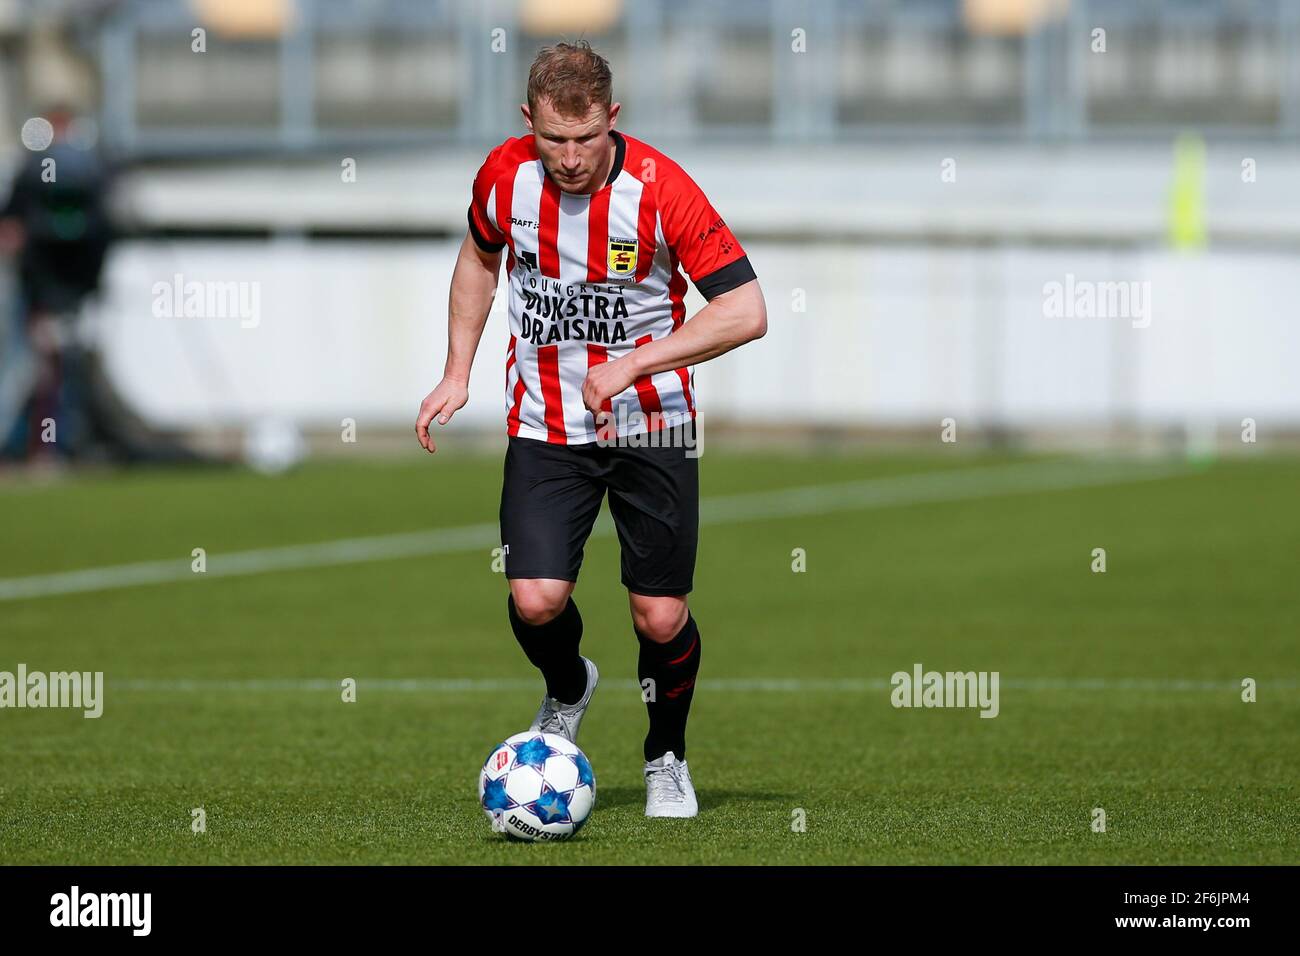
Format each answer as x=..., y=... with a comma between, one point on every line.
x=57, y=227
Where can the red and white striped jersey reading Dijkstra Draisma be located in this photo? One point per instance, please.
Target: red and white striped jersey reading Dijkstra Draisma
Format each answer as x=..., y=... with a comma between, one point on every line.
x=593, y=278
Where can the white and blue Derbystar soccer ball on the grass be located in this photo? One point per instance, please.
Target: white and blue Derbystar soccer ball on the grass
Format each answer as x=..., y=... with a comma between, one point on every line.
x=538, y=788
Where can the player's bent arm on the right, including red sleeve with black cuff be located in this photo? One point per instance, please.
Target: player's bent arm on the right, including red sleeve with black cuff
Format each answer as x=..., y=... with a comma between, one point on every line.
x=736, y=313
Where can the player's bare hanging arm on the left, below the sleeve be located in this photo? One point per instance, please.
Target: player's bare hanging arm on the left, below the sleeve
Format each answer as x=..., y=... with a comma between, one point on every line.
x=474, y=285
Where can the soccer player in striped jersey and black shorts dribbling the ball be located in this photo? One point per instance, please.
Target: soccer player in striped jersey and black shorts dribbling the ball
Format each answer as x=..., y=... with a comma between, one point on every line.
x=596, y=228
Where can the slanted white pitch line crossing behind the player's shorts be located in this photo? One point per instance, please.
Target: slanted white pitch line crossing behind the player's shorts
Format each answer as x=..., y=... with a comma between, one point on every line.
x=959, y=485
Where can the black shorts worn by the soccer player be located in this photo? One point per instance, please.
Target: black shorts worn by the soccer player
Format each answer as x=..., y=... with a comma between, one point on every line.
x=552, y=496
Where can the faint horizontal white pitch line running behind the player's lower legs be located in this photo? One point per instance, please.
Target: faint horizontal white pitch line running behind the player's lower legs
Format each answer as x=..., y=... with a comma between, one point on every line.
x=765, y=685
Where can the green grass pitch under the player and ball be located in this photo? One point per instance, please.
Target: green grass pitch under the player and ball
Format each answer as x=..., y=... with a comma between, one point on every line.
x=1120, y=690
